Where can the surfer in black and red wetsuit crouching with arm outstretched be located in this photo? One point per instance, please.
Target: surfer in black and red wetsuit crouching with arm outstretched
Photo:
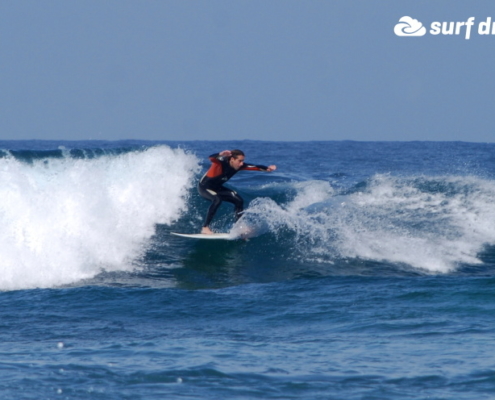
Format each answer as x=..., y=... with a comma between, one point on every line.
x=224, y=166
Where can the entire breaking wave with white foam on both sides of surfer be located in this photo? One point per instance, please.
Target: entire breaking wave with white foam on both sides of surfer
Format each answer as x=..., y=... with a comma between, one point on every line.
x=69, y=214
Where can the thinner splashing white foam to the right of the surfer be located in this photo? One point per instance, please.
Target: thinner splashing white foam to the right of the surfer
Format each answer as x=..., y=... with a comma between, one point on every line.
x=398, y=220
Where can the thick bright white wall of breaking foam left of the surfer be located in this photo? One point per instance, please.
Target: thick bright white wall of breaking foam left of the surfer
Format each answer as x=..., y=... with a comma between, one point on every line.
x=66, y=215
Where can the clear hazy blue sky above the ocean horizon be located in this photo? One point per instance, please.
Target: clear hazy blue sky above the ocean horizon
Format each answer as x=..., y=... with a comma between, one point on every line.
x=277, y=70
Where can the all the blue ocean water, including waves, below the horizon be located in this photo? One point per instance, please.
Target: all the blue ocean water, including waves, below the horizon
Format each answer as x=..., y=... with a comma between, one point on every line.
x=369, y=273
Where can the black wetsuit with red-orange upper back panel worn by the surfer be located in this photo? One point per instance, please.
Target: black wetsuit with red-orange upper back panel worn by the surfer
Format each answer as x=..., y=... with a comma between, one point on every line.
x=211, y=185
